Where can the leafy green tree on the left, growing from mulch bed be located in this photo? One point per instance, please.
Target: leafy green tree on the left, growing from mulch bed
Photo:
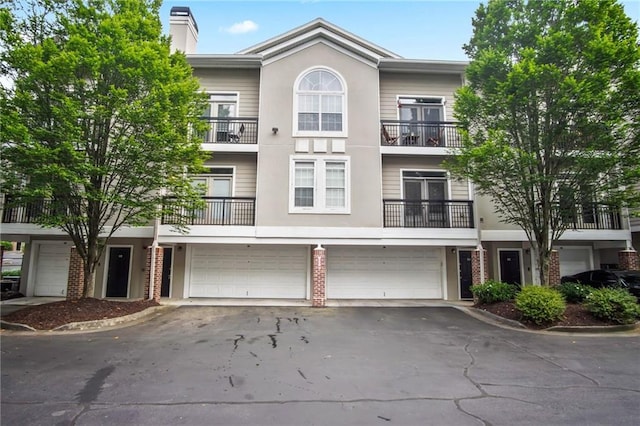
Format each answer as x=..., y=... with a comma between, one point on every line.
x=96, y=117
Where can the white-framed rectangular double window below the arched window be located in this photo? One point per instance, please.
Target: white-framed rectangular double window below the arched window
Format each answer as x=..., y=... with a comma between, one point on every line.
x=319, y=185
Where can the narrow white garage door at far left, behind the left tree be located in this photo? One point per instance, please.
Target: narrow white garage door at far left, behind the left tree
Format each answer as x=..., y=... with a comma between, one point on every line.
x=52, y=269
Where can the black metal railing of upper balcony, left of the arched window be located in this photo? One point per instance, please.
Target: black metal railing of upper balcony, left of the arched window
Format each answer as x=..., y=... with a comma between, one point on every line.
x=236, y=130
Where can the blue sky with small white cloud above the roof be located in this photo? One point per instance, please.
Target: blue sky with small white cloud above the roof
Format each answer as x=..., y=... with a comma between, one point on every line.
x=426, y=29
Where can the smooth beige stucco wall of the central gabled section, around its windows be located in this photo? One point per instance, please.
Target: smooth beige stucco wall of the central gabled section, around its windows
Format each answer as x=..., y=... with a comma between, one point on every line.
x=361, y=142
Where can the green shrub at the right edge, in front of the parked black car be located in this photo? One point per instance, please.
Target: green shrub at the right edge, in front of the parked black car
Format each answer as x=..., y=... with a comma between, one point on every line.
x=613, y=304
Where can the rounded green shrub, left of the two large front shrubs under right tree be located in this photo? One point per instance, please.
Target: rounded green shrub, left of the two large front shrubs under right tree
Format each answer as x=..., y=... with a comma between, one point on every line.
x=540, y=305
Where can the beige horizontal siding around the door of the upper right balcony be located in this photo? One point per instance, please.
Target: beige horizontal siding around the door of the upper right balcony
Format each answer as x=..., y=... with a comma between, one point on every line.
x=393, y=85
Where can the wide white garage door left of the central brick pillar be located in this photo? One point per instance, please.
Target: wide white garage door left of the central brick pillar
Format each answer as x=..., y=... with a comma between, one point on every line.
x=254, y=272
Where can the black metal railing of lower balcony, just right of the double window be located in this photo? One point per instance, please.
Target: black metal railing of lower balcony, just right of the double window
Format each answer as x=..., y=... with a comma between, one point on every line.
x=428, y=214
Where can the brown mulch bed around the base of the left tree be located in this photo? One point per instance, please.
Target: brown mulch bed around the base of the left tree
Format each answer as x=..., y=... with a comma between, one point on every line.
x=51, y=315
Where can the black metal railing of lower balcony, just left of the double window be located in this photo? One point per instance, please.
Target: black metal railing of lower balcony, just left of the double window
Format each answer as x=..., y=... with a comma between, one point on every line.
x=239, y=211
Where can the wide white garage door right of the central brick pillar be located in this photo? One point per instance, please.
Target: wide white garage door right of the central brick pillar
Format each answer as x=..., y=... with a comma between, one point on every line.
x=379, y=273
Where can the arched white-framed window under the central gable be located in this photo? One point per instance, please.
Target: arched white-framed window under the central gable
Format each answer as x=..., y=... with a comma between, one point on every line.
x=320, y=103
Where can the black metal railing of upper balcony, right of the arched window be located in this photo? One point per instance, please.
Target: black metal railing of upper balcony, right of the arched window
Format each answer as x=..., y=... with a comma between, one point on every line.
x=444, y=134
